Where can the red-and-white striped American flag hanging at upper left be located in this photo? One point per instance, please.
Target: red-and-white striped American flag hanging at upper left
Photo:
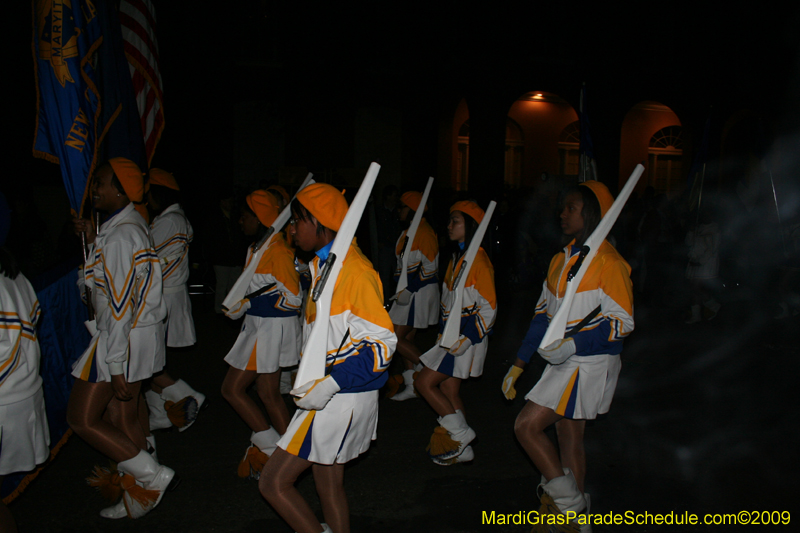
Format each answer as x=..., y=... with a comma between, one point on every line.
x=138, y=20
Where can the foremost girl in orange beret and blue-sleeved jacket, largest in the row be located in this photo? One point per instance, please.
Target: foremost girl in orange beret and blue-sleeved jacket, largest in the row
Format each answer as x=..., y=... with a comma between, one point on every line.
x=338, y=415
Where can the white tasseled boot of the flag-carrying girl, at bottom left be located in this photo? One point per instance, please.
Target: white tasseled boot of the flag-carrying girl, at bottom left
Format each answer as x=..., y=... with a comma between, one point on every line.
x=142, y=472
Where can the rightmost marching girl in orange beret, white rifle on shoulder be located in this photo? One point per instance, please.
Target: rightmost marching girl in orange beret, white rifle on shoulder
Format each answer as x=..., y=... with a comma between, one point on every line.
x=581, y=376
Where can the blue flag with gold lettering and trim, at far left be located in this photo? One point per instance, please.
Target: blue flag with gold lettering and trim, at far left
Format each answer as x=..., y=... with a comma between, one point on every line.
x=66, y=35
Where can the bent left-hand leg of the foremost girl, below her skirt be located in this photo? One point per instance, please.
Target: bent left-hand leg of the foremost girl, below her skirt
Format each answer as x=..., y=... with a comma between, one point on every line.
x=277, y=486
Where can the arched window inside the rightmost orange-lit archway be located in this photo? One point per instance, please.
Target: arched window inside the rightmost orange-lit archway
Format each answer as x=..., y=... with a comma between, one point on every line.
x=664, y=155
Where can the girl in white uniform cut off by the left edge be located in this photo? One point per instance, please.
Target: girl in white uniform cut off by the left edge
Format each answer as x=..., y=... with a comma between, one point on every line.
x=24, y=435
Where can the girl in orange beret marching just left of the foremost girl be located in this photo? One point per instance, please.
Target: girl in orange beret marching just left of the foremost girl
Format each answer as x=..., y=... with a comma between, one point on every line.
x=269, y=339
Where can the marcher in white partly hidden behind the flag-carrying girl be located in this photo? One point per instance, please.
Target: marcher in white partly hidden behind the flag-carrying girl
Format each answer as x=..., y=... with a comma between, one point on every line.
x=172, y=233
